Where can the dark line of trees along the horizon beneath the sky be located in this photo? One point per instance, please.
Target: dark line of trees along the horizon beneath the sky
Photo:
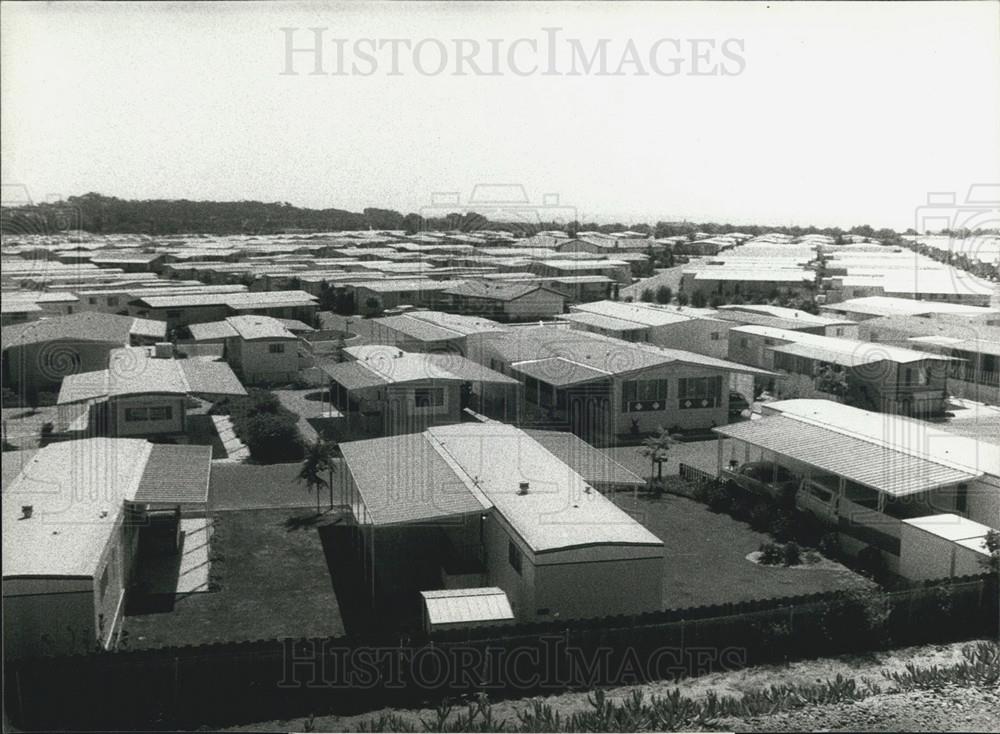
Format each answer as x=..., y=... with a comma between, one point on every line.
x=100, y=214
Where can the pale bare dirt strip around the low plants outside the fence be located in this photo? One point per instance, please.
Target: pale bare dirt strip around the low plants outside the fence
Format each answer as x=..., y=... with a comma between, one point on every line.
x=946, y=710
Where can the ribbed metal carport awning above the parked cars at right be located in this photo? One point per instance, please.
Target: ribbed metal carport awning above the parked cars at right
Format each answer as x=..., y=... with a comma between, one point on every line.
x=888, y=470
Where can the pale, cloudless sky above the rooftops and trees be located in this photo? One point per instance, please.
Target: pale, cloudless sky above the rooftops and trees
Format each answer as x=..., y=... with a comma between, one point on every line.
x=788, y=113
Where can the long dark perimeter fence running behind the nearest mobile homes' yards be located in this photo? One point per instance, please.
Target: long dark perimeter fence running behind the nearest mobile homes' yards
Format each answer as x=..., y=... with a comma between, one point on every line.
x=231, y=683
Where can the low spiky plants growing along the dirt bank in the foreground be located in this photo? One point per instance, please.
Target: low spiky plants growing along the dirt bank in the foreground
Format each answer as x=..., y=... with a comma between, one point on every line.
x=980, y=668
